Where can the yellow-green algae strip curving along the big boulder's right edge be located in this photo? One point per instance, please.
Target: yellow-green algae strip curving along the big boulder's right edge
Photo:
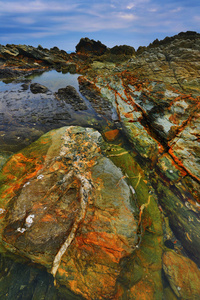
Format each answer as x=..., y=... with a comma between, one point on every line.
x=141, y=276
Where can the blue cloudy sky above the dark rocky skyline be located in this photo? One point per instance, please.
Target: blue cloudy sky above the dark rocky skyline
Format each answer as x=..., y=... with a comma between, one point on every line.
x=63, y=23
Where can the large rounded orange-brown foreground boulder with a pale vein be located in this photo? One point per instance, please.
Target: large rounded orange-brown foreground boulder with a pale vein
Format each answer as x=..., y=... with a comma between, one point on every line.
x=66, y=206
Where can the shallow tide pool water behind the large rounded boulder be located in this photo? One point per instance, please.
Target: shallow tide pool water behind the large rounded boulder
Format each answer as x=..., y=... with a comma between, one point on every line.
x=25, y=116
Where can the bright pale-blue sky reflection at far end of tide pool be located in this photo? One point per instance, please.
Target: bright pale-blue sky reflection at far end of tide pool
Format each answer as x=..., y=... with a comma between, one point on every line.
x=54, y=80
